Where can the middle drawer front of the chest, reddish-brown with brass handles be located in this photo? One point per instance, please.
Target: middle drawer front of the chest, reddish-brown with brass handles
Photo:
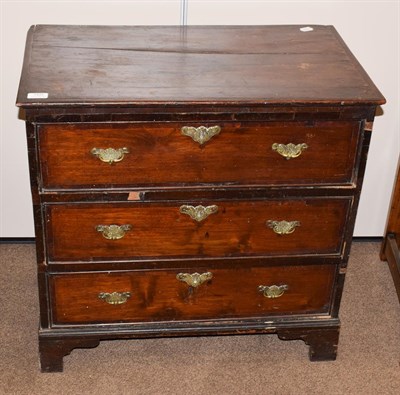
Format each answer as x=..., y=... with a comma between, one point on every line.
x=90, y=232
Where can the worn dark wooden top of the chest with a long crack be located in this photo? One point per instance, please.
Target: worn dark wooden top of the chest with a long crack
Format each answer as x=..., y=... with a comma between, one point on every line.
x=169, y=65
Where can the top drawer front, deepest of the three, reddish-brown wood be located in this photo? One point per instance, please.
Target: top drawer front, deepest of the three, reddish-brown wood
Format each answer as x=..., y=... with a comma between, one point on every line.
x=159, y=154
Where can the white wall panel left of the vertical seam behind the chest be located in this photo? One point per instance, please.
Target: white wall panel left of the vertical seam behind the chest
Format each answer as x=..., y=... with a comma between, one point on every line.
x=16, y=218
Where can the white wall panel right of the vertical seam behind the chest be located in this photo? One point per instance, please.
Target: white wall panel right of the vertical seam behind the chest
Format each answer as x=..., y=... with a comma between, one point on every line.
x=371, y=31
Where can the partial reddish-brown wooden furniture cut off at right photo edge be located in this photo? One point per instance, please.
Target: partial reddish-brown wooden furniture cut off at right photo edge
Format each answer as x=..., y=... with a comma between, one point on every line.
x=390, y=250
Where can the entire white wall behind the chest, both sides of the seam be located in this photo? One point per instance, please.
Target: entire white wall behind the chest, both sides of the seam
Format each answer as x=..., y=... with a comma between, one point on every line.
x=370, y=29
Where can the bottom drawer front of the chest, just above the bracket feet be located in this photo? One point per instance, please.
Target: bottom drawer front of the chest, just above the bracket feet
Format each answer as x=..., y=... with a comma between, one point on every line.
x=160, y=296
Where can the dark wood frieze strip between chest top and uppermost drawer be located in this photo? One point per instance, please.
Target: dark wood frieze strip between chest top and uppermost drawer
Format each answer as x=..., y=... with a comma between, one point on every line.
x=215, y=112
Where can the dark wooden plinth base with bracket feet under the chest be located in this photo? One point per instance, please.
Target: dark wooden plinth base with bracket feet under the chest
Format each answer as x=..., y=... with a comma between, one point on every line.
x=322, y=340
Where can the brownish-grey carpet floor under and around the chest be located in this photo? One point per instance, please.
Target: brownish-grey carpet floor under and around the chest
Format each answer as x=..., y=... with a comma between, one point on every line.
x=368, y=358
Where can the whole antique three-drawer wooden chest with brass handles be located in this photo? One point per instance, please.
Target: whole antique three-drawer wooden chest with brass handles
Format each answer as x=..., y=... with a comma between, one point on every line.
x=192, y=181
